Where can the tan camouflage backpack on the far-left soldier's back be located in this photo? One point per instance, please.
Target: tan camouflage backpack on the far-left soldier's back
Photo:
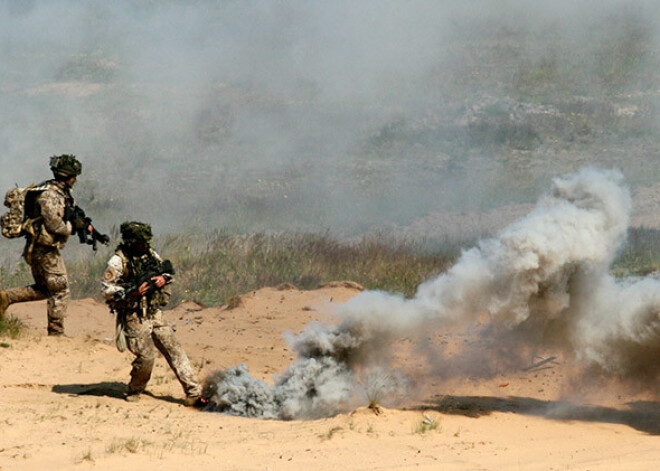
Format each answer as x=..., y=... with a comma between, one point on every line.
x=23, y=214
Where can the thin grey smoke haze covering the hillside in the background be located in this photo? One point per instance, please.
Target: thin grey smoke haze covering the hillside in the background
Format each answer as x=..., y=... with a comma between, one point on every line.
x=260, y=115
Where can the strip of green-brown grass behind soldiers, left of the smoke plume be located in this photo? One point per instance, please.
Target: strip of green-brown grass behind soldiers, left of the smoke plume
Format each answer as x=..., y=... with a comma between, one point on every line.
x=215, y=269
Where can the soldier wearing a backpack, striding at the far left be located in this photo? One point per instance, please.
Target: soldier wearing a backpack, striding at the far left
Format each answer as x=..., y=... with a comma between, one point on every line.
x=42, y=249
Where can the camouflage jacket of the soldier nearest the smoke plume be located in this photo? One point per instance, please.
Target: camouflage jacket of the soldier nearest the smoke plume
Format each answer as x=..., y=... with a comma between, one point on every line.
x=121, y=271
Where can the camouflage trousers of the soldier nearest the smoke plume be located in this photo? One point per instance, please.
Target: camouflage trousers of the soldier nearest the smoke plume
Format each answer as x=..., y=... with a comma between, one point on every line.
x=146, y=334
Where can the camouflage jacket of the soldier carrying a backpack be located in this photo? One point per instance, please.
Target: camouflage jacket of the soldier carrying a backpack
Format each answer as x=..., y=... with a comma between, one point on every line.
x=53, y=231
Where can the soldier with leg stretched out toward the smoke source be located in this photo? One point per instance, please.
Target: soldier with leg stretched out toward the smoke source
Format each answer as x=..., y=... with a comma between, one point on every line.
x=140, y=323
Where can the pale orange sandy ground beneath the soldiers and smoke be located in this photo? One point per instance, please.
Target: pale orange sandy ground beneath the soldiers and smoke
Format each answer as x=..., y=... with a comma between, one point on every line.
x=62, y=406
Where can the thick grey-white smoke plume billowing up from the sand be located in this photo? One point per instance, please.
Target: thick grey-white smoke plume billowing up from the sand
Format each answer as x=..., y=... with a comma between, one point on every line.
x=542, y=283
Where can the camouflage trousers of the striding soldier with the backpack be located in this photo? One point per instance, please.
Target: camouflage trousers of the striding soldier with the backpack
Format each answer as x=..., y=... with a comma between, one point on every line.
x=50, y=282
